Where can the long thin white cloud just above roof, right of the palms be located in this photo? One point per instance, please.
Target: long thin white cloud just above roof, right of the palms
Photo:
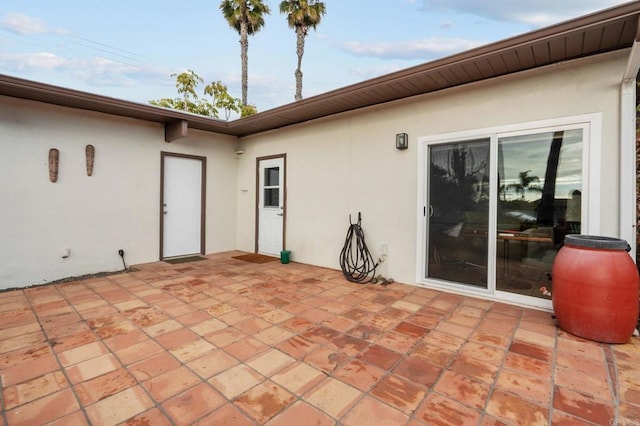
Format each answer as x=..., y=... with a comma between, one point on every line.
x=415, y=49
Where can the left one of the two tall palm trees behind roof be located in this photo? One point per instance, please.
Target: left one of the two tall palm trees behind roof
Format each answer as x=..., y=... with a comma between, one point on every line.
x=247, y=18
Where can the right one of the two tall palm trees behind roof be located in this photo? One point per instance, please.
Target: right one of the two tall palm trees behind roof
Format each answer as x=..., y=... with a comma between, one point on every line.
x=302, y=15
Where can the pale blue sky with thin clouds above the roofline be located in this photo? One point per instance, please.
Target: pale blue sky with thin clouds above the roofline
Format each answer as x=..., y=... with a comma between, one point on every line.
x=128, y=49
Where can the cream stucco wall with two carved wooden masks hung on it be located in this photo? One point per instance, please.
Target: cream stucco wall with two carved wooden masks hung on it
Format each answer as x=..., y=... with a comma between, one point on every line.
x=116, y=208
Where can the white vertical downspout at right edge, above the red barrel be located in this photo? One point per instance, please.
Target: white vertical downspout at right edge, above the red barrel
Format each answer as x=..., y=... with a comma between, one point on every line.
x=628, y=147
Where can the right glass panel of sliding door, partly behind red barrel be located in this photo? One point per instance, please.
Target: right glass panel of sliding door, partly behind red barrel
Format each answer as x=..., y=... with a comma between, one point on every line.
x=539, y=202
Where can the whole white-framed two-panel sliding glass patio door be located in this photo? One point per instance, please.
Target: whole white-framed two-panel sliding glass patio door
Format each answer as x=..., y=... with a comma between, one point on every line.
x=497, y=208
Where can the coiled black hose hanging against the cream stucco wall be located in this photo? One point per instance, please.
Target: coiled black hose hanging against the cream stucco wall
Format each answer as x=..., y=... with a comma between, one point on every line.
x=356, y=261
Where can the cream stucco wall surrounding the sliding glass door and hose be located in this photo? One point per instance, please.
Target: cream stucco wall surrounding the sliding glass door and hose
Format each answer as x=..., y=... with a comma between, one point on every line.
x=349, y=164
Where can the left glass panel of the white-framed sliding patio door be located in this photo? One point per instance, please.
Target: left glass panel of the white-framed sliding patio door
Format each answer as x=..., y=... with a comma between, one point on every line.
x=458, y=212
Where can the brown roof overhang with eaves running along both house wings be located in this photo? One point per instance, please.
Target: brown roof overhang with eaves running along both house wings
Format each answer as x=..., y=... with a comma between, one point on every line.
x=605, y=31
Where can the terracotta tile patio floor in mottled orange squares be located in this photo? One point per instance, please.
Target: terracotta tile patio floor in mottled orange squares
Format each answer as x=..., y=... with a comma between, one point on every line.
x=227, y=342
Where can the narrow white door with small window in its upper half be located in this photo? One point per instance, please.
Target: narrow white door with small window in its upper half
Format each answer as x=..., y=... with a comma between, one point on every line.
x=271, y=208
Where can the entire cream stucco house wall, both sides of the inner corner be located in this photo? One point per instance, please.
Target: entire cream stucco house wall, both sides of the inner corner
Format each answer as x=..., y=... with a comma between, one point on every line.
x=336, y=167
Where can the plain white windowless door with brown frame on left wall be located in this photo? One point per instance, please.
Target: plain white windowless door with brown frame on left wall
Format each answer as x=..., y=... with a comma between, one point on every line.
x=182, y=205
